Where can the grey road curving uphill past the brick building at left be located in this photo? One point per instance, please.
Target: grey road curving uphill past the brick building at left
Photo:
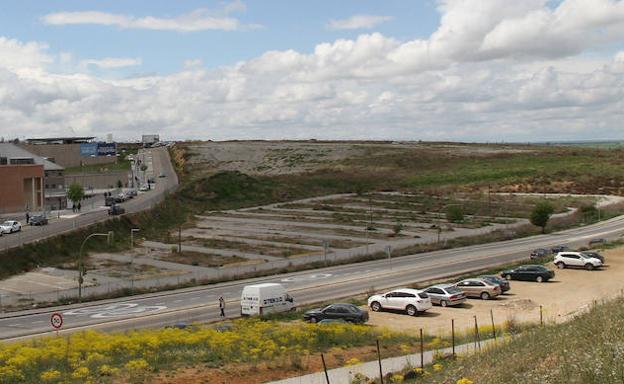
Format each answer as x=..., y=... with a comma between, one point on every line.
x=160, y=162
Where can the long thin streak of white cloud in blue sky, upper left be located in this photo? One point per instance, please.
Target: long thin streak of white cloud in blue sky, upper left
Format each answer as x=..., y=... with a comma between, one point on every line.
x=197, y=20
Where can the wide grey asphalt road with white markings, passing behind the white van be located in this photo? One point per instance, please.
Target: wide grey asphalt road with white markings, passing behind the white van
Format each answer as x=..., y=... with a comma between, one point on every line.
x=200, y=304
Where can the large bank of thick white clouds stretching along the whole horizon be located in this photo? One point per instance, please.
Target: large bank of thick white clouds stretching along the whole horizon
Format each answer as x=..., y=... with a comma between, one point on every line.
x=472, y=79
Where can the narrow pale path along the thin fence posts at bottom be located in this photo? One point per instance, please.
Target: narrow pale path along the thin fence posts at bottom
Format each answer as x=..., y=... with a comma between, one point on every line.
x=371, y=369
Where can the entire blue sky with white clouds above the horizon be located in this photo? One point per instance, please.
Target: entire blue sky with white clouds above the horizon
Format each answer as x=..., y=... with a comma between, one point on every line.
x=469, y=70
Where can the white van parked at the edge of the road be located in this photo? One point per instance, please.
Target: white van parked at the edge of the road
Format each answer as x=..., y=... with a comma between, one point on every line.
x=262, y=299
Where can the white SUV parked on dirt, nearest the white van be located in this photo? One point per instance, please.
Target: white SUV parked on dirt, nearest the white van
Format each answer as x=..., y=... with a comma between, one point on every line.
x=409, y=300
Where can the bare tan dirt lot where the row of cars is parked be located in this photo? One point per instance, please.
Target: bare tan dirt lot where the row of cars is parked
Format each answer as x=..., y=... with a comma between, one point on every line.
x=572, y=291
